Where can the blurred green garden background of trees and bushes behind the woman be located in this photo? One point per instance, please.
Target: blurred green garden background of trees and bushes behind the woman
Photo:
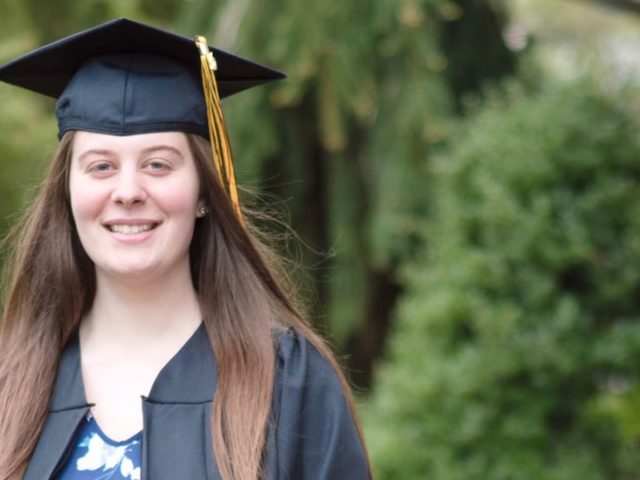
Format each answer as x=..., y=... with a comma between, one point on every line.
x=464, y=178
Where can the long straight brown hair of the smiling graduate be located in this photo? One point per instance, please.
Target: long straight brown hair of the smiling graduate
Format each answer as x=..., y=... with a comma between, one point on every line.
x=51, y=283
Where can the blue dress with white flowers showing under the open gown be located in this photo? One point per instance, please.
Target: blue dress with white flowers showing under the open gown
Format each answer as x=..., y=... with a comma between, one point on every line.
x=97, y=457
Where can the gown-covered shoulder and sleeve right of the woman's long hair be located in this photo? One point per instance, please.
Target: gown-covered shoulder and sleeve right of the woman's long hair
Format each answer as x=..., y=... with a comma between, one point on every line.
x=315, y=433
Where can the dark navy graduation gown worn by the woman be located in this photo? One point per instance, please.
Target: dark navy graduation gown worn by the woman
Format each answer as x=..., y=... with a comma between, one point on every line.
x=311, y=433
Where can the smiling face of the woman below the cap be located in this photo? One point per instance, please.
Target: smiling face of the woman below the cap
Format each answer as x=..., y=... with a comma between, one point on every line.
x=134, y=200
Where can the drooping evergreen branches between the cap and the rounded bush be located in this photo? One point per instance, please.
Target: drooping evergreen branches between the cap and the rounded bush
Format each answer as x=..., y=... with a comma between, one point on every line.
x=347, y=136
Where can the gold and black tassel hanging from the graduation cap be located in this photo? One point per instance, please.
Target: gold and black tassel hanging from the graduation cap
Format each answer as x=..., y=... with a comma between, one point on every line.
x=222, y=158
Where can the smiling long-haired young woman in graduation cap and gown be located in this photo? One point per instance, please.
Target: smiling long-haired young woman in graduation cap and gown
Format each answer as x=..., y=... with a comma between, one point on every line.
x=146, y=332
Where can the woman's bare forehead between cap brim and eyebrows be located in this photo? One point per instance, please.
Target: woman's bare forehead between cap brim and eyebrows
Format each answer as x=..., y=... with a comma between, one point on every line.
x=86, y=141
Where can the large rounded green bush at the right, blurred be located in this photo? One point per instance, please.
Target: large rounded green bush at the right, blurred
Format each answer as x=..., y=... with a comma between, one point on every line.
x=514, y=353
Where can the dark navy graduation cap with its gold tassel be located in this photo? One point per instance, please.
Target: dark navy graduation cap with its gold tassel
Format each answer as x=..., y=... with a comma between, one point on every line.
x=125, y=78
